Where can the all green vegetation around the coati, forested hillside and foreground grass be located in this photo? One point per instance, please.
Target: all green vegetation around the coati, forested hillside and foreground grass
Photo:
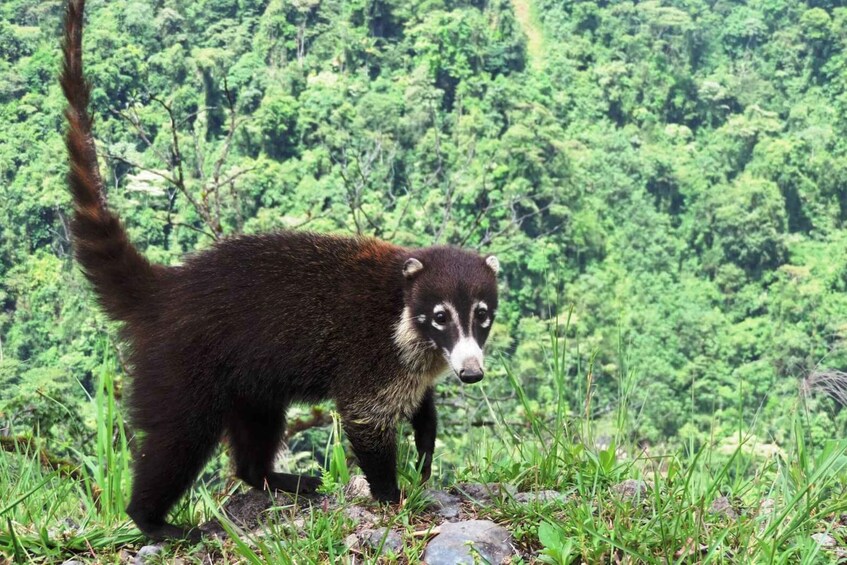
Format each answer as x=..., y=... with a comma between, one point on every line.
x=664, y=182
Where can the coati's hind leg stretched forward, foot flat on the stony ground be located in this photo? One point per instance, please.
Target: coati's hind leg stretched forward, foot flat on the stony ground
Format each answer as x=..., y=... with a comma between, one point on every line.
x=256, y=434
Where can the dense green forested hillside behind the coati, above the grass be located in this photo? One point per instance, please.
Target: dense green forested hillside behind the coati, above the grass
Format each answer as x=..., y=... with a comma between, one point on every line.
x=675, y=170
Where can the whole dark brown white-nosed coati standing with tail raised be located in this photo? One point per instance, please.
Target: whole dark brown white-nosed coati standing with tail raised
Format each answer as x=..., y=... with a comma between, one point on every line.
x=224, y=343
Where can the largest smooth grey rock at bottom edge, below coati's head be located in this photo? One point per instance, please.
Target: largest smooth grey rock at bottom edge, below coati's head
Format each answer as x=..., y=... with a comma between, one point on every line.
x=466, y=542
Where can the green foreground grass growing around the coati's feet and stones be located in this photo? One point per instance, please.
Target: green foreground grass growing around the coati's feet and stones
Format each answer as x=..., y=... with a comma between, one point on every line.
x=779, y=502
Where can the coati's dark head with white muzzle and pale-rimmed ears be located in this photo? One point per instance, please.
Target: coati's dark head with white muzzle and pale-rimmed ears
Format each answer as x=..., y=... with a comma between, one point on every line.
x=450, y=303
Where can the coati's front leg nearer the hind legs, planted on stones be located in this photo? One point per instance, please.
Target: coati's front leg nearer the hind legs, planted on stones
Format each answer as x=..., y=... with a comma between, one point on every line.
x=375, y=446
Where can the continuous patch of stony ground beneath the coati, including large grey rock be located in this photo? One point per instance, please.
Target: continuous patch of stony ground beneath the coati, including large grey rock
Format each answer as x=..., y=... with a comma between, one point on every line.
x=449, y=523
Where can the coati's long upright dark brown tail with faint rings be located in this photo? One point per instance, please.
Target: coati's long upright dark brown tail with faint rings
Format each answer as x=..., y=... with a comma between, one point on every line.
x=122, y=278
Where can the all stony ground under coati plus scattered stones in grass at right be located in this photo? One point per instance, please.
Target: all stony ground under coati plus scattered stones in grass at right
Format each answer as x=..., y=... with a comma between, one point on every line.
x=451, y=526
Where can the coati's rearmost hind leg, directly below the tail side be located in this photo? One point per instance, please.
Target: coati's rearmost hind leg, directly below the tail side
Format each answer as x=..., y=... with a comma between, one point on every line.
x=167, y=463
